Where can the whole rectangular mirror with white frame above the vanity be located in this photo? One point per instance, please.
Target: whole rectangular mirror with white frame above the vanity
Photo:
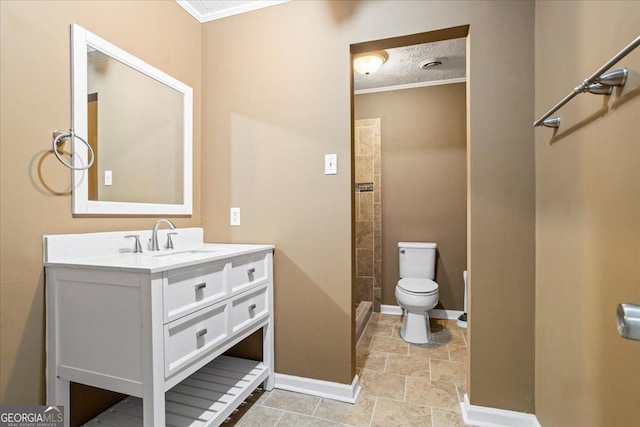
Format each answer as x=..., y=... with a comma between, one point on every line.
x=139, y=122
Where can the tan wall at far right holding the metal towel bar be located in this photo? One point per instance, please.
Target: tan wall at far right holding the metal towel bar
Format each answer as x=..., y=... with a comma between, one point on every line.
x=588, y=218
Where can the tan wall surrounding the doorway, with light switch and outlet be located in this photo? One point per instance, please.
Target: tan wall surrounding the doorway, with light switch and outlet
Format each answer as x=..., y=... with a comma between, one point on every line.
x=276, y=94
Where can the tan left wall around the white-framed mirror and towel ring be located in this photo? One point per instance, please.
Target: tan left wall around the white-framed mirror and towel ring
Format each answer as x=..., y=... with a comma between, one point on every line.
x=35, y=100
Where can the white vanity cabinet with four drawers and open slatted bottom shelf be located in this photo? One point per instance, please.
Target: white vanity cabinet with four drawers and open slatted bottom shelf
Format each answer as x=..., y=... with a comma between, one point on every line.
x=155, y=328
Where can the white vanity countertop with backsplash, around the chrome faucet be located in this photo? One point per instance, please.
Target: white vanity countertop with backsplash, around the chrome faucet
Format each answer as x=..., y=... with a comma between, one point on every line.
x=112, y=251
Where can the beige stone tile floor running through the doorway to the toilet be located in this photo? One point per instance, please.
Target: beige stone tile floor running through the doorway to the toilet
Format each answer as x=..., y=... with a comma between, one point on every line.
x=402, y=384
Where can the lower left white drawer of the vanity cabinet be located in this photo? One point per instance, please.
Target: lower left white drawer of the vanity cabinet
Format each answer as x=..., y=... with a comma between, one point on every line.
x=194, y=335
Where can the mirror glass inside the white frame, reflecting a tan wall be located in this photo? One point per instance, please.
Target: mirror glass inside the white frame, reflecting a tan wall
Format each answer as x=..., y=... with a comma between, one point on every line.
x=135, y=129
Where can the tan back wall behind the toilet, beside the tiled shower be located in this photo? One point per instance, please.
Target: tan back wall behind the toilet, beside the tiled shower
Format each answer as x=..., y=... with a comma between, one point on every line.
x=424, y=180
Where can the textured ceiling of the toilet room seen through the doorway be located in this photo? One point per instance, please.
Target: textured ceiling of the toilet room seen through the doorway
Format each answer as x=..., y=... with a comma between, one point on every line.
x=402, y=67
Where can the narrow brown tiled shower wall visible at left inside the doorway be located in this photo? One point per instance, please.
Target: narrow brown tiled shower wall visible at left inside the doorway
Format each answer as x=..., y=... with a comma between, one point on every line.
x=368, y=227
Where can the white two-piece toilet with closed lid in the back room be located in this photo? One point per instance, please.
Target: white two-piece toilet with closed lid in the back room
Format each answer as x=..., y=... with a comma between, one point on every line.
x=416, y=291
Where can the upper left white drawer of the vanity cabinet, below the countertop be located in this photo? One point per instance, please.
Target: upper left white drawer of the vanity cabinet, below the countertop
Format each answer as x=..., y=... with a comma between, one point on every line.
x=189, y=289
